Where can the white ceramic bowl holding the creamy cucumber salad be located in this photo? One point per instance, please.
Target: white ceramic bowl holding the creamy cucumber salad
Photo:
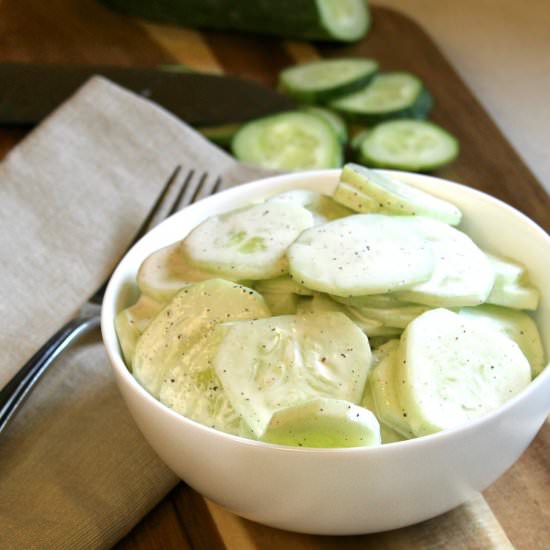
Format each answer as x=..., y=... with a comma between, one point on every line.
x=343, y=491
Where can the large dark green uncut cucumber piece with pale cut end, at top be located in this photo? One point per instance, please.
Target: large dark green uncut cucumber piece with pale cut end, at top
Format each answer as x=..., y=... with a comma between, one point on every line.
x=331, y=20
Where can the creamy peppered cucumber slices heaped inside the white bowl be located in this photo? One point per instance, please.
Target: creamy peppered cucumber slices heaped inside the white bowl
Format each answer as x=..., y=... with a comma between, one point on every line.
x=357, y=319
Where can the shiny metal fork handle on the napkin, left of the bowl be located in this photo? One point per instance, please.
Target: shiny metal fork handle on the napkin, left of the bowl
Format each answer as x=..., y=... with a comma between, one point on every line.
x=13, y=395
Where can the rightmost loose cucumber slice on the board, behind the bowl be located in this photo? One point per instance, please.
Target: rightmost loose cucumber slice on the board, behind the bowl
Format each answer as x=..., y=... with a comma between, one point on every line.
x=413, y=145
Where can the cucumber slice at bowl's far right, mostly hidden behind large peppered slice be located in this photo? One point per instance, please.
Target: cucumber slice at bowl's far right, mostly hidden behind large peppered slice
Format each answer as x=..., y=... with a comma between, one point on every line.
x=517, y=325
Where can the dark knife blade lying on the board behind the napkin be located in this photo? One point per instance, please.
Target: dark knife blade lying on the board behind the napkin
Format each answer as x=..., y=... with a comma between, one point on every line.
x=29, y=92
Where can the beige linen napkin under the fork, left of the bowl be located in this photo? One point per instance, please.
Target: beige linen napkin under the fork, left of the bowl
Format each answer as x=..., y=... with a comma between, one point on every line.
x=74, y=470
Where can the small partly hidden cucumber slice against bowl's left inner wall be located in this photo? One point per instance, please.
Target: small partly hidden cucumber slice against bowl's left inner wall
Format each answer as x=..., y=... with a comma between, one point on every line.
x=131, y=322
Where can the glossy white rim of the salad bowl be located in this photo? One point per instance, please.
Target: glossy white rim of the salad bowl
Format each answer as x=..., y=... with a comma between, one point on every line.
x=117, y=363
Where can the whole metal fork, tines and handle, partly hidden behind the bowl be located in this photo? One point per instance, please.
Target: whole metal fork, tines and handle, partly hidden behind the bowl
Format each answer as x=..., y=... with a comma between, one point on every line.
x=179, y=191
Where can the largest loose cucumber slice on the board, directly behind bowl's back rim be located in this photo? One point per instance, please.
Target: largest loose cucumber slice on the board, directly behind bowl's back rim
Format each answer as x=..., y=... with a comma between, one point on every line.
x=293, y=140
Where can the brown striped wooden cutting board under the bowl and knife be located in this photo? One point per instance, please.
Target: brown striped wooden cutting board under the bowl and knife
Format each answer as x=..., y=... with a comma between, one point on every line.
x=514, y=511
